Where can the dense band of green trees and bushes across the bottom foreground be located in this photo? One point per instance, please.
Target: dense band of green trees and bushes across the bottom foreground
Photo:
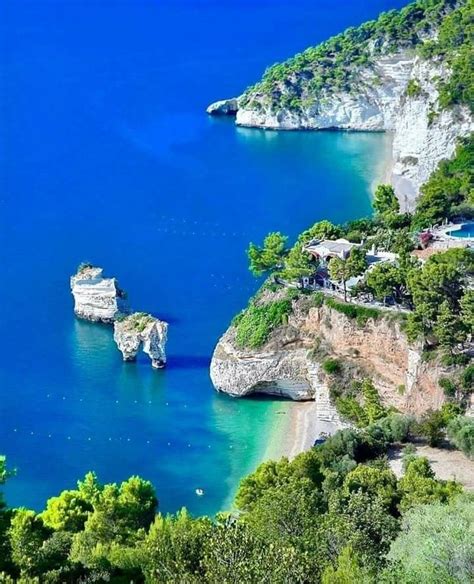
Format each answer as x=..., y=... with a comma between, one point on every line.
x=329, y=515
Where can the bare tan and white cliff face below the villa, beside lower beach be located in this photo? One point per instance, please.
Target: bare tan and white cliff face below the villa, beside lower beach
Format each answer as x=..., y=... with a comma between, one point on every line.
x=286, y=365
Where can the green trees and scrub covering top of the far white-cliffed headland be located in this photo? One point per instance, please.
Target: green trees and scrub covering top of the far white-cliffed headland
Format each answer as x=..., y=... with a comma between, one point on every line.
x=334, y=65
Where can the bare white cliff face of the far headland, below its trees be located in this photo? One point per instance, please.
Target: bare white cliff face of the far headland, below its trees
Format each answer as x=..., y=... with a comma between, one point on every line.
x=423, y=134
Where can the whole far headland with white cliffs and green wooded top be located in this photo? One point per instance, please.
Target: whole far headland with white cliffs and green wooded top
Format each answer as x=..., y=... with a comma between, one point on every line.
x=408, y=73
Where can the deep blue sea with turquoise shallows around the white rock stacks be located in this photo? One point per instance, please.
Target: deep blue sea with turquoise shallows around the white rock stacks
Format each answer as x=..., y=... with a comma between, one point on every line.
x=107, y=156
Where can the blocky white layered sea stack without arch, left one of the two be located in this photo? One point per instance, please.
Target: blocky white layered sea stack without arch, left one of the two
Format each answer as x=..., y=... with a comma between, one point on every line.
x=96, y=298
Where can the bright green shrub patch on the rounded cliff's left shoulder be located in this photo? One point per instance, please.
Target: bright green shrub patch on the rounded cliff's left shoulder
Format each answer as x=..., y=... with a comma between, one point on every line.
x=254, y=325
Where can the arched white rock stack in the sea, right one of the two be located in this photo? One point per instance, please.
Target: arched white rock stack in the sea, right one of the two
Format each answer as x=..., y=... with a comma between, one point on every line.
x=142, y=331
